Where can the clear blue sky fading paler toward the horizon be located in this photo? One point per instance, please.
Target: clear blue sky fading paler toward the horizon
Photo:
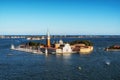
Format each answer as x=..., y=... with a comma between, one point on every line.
x=60, y=17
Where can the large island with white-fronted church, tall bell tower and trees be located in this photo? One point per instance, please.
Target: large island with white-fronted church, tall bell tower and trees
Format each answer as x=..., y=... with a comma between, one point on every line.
x=58, y=47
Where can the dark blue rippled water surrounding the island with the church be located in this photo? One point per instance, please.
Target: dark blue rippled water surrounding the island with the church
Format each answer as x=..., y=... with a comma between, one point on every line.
x=15, y=65
